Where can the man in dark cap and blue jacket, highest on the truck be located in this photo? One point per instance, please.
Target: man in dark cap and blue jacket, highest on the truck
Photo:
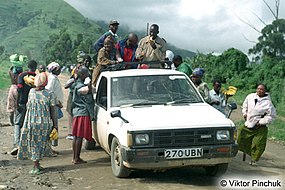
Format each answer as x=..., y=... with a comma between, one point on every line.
x=113, y=27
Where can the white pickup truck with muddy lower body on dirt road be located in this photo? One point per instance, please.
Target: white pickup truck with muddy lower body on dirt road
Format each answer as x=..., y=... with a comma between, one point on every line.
x=155, y=119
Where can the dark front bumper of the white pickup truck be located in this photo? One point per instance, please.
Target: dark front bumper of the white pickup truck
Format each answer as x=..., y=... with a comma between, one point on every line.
x=154, y=158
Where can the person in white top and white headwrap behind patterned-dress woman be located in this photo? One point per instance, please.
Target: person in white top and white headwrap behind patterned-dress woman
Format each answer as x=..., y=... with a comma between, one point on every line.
x=54, y=86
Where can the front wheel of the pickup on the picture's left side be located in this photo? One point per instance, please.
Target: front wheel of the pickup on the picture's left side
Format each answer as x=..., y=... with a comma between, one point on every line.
x=119, y=170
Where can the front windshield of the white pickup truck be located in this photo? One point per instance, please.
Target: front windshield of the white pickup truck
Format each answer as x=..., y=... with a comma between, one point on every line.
x=152, y=90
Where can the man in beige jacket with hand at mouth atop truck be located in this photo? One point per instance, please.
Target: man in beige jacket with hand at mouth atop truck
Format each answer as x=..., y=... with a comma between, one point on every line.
x=151, y=47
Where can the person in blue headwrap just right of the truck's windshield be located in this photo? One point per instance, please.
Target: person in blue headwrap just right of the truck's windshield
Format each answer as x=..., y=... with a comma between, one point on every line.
x=202, y=87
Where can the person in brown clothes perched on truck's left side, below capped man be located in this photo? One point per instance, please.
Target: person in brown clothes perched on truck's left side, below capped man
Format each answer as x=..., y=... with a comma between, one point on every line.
x=107, y=55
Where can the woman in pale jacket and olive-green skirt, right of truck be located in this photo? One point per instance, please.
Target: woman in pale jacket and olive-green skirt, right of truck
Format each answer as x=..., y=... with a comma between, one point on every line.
x=258, y=111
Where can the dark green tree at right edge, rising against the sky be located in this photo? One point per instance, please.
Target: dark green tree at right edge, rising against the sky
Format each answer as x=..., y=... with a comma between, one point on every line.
x=271, y=43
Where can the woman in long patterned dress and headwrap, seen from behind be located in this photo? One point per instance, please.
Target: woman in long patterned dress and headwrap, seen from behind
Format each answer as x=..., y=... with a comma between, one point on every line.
x=39, y=121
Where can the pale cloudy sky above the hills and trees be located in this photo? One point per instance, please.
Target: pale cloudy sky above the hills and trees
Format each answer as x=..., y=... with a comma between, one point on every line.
x=206, y=26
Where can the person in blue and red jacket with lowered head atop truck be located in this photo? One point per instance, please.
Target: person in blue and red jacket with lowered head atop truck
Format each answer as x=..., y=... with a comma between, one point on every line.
x=127, y=48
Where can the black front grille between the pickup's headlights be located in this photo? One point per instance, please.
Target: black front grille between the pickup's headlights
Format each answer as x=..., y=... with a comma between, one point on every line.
x=183, y=138
